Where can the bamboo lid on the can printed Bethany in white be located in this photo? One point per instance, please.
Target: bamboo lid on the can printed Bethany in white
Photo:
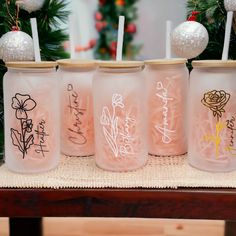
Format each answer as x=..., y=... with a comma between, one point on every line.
x=120, y=64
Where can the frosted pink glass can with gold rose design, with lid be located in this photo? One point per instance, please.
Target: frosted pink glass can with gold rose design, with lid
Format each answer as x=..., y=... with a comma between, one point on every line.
x=212, y=116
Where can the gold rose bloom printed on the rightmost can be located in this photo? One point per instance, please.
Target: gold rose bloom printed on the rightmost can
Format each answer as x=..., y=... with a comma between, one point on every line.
x=216, y=101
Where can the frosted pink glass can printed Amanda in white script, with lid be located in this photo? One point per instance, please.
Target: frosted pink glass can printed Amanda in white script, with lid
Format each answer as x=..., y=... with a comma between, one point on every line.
x=167, y=84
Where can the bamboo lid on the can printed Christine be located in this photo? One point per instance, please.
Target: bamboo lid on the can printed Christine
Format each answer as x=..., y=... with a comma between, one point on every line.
x=73, y=63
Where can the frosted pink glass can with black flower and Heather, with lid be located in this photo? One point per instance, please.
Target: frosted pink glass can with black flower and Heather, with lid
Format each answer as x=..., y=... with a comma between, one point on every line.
x=31, y=107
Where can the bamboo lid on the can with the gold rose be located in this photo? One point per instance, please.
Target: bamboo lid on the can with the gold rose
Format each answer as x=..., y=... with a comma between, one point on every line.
x=214, y=63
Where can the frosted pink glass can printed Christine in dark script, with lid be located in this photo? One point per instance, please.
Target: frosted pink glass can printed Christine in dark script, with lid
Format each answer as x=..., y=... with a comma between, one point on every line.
x=77, y=129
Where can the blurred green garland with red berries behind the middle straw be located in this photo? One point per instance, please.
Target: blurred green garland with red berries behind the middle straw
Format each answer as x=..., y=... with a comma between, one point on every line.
x=107, y=25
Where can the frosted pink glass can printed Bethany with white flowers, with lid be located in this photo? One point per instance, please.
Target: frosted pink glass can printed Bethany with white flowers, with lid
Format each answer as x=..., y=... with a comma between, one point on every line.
x=120, y=116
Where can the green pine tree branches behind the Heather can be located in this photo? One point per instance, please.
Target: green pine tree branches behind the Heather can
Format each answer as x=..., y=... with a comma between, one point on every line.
x=51, y=37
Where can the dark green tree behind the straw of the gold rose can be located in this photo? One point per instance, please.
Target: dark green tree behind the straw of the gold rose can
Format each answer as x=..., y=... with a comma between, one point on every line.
x=212, y=15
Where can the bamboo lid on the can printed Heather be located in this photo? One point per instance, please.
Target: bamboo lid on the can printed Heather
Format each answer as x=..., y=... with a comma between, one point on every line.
x=31, y=64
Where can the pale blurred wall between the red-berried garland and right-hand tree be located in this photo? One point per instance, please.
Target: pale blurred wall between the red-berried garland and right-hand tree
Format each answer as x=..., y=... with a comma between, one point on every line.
x=152, y=21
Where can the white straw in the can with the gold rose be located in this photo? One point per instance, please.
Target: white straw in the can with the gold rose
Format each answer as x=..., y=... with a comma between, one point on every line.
x=225, y=54
